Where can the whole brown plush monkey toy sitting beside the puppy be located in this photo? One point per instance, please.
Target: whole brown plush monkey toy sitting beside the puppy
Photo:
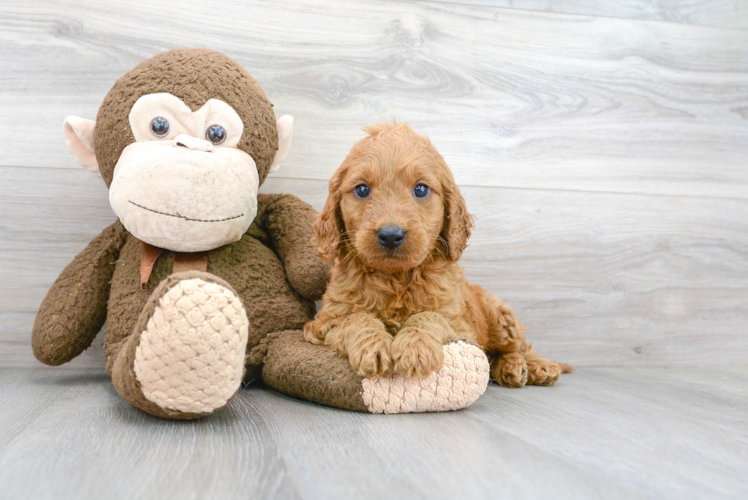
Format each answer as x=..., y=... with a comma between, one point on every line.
x=205, y=283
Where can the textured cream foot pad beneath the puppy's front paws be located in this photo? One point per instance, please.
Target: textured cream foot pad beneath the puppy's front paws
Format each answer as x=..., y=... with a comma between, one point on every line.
x=460, y=381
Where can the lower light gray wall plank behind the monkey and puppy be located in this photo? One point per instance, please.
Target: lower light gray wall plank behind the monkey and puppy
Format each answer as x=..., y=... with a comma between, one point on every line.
x=598, y=278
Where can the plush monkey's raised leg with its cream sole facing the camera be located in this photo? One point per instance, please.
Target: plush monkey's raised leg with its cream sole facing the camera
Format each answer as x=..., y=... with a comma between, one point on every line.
x=185, y=357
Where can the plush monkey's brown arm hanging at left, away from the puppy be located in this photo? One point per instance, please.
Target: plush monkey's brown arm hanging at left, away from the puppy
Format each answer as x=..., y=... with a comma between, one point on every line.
x=74, y=309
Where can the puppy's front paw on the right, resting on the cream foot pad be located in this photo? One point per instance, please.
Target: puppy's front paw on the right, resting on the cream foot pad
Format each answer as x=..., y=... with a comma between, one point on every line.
x=416, y=354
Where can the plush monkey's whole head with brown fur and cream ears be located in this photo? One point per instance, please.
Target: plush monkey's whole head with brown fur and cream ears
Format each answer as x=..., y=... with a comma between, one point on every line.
x=183, y=141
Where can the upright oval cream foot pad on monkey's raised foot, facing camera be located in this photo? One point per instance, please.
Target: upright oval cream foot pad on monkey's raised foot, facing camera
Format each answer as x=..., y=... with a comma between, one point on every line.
x=191, y=355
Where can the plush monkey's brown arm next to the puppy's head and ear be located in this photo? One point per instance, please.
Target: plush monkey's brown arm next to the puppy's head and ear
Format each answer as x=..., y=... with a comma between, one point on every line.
x=288, y=222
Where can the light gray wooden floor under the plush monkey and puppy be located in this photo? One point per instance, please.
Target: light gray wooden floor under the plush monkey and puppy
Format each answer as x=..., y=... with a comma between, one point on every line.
x=612, y=433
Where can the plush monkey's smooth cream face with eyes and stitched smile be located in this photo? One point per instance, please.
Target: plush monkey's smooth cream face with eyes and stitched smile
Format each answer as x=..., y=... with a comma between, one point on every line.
x=183, y=184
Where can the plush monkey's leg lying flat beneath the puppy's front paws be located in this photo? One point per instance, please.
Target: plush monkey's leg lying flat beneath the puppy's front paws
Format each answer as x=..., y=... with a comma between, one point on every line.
x=318, y=373
